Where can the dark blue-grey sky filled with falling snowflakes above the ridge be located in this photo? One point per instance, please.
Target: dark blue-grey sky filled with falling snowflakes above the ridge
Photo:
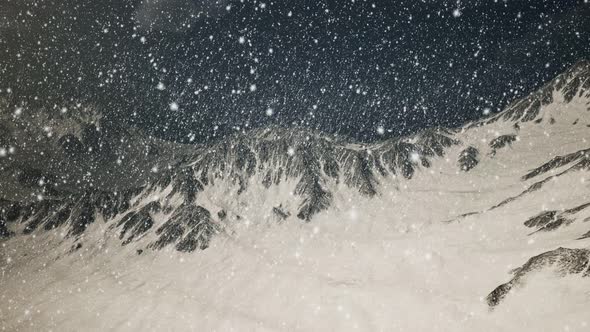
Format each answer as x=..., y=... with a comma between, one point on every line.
x=346, y=66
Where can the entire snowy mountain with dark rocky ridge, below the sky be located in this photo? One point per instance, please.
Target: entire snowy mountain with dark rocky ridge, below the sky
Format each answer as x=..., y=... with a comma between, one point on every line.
x=363, y=230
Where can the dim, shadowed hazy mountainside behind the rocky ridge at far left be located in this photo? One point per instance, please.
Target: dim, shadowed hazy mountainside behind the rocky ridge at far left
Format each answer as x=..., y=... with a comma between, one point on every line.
x=54, y=153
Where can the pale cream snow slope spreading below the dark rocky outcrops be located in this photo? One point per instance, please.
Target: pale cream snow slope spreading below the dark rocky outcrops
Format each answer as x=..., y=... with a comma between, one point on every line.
x=423, y=254
